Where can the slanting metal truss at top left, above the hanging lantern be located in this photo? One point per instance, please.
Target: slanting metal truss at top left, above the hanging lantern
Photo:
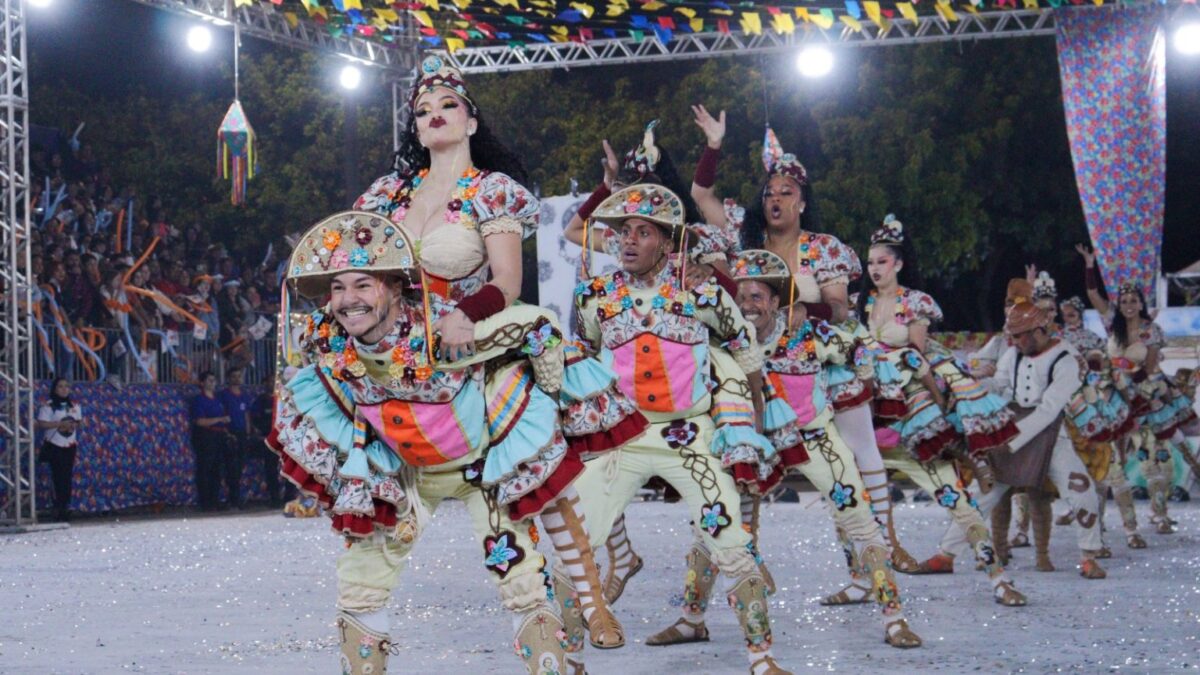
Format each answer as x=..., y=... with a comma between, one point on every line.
x=266, y=22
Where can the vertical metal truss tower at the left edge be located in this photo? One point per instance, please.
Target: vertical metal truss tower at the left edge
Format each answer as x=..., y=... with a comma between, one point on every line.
x=19, y=498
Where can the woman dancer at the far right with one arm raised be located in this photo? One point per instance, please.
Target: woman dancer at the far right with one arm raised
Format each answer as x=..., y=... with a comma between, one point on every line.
x=1136, y=345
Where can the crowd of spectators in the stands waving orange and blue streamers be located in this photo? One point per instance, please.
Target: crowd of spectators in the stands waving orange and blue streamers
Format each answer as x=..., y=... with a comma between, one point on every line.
x=89, y=234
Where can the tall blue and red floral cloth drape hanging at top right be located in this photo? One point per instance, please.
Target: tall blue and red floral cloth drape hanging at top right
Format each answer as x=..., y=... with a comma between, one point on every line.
x=1114, y=92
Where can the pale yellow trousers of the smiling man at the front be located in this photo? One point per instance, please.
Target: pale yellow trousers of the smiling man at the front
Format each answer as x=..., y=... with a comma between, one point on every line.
x=370, y=570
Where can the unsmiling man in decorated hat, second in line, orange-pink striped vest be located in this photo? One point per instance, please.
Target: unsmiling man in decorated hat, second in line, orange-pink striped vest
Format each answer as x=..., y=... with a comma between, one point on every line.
x=656, y=334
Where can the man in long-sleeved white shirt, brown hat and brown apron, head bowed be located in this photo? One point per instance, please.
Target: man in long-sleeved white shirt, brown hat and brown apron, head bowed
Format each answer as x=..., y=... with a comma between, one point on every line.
x=1039, y=375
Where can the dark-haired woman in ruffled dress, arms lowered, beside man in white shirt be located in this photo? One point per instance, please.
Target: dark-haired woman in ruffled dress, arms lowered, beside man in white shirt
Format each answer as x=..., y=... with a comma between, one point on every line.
x=926, y=443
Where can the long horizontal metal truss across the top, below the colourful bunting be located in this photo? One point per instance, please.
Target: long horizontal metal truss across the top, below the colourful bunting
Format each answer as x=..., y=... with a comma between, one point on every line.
x=983, y=26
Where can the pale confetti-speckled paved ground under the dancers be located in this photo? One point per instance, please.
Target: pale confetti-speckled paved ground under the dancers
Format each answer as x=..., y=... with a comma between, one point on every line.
x=254, y=594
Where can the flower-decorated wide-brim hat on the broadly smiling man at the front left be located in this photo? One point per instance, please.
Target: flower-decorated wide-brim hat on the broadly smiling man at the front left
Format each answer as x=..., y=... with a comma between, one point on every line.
x=350, y=242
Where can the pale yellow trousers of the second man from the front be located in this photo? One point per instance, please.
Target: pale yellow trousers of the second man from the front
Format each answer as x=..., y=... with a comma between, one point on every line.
x=609, y=483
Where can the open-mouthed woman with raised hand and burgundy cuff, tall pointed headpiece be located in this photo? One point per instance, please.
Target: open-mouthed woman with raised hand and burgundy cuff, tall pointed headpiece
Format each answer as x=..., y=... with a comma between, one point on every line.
x=784, y=222
